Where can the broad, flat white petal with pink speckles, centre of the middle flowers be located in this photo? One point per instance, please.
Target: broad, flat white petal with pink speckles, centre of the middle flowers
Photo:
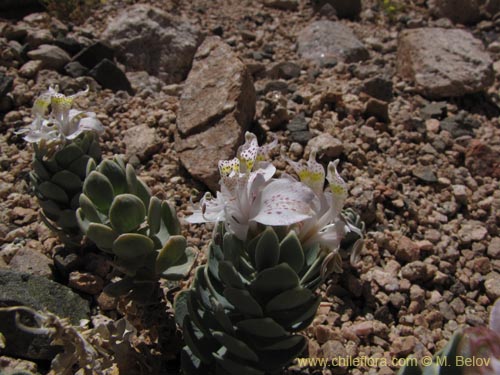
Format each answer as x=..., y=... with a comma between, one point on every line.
x=283, y=202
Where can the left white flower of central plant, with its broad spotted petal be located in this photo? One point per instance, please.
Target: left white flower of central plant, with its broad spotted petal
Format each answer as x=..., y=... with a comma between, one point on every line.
x=248, y=196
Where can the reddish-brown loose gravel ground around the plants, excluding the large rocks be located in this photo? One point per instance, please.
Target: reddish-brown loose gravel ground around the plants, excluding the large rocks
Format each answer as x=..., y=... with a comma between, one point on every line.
x=427, y=192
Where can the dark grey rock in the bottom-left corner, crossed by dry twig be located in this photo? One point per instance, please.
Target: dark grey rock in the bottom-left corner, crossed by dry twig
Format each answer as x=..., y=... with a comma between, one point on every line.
x=39, y=293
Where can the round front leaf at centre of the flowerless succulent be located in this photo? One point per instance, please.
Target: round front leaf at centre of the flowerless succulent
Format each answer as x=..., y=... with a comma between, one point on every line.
x=127, y=213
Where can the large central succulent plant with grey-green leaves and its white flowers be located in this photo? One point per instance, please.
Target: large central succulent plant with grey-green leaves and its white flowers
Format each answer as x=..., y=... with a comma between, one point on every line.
x=275, y=242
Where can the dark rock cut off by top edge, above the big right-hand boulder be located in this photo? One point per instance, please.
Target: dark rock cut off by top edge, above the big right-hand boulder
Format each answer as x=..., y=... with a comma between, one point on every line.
x=458, y=11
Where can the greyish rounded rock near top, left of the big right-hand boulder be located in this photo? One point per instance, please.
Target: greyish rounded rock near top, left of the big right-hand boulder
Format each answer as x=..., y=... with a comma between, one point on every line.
x=327, y=41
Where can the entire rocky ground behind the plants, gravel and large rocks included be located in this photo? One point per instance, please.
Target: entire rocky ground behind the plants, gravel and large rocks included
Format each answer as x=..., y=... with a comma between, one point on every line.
x=406, y=97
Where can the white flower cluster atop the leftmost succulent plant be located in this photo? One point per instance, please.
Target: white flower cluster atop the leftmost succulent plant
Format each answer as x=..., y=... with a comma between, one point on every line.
x=62, y=122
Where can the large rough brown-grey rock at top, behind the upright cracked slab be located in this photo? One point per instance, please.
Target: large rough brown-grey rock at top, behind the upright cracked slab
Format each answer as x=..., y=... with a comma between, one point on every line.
x=146, y=38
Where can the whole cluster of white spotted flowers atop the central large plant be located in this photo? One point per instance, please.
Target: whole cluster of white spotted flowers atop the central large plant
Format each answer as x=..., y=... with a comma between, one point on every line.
x=250, y=194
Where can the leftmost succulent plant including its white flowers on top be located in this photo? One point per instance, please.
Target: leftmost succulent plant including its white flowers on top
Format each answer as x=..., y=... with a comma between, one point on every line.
x=64, y=140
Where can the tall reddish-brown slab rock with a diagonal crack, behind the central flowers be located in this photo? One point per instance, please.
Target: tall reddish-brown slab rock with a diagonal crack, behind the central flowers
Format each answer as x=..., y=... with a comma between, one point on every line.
x=216, y=107
